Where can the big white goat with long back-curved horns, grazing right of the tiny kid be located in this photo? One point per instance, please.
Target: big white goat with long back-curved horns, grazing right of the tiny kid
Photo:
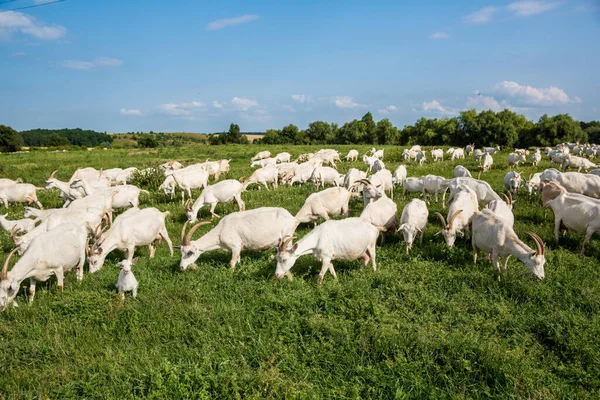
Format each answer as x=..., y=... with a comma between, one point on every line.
x=258, y=229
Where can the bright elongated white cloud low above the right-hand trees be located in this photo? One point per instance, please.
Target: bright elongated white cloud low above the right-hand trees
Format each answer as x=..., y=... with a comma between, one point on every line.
x=533, y=96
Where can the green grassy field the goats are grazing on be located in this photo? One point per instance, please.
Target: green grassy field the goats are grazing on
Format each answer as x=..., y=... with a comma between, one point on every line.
x=427, y=325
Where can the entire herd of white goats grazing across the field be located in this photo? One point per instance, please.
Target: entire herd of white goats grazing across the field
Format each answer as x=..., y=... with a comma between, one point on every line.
x=51, y=242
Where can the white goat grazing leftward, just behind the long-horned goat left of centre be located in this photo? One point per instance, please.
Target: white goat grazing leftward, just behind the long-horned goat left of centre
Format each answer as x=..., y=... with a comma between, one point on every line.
x=219, y=193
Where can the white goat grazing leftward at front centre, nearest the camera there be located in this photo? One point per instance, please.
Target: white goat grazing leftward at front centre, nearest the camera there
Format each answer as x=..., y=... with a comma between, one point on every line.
x=346, y=239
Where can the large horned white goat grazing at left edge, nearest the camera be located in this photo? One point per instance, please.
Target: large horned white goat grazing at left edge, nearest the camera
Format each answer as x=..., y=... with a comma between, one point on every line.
x=41, y=261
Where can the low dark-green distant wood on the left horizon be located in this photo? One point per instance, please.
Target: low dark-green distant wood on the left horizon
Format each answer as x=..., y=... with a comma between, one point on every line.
x=65, y=137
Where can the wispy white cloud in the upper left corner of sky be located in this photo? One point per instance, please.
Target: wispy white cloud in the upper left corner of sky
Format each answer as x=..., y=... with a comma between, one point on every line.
x=12, y=21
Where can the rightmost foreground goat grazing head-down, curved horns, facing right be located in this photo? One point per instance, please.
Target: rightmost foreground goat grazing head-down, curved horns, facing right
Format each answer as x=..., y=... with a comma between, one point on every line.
x=494, y=236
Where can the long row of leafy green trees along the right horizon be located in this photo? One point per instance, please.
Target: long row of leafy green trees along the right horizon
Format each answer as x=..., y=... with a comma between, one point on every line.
x=504, y=128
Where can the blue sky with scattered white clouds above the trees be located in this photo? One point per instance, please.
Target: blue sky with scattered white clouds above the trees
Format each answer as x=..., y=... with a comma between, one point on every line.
x=197, y=66
